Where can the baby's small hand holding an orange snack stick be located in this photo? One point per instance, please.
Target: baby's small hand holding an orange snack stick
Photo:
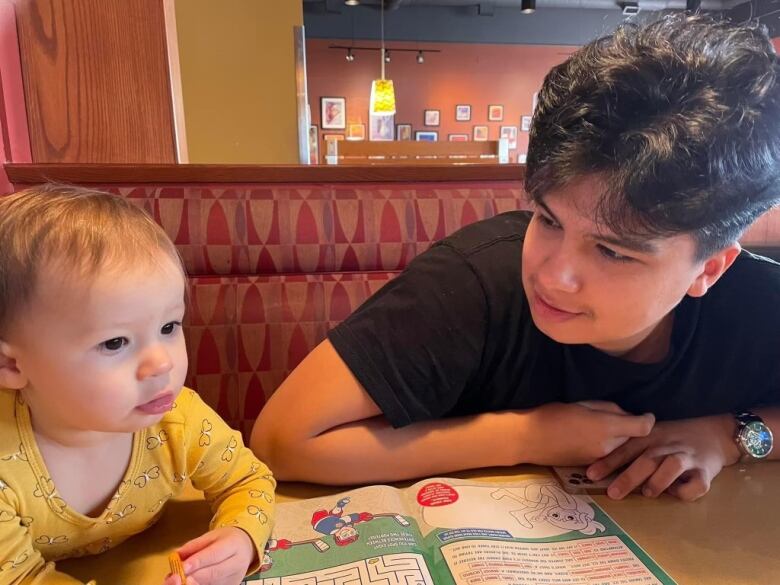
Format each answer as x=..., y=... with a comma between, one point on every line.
x=220, y=557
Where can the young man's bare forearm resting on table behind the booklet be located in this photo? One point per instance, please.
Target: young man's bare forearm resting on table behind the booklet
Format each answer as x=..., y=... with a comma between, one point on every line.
x=371, y=451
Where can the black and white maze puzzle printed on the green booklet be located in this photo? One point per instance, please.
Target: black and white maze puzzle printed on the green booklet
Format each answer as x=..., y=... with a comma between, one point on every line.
x=397, y=569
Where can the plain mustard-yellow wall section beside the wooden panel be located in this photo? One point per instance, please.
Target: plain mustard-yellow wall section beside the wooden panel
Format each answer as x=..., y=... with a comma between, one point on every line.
x=238, y=79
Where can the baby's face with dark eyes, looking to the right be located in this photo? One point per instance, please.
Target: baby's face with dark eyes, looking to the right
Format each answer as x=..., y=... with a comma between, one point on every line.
x=106, y=355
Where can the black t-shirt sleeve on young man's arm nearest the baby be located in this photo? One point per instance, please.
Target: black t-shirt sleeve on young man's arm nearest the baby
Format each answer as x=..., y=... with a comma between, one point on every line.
x=416, y=343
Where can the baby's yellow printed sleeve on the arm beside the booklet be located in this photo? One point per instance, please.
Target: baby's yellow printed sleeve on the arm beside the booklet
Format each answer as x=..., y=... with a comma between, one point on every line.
x=239, y=488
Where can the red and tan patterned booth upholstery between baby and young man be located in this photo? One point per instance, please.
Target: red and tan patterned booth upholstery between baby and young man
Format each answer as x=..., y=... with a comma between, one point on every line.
x=273, y=266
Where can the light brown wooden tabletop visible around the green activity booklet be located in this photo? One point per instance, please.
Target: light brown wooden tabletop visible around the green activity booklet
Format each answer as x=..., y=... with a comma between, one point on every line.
x=729, y=537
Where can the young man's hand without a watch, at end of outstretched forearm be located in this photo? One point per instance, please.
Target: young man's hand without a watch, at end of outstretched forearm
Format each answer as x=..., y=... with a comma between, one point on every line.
x=580, y=433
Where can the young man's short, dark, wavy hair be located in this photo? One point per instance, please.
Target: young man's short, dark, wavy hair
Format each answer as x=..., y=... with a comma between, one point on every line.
x=680, y=119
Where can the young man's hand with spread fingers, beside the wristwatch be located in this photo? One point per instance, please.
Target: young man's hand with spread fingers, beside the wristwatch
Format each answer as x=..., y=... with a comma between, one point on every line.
x=679, y=457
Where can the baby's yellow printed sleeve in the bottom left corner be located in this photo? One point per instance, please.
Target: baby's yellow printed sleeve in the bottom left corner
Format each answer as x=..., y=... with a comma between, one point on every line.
x=20, y=562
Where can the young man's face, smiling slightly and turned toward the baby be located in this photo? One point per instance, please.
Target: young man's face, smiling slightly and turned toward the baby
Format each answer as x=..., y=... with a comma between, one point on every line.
x=586, y=286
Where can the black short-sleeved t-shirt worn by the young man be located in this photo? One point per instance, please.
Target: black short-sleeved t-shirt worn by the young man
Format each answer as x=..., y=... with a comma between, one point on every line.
x=453, y=335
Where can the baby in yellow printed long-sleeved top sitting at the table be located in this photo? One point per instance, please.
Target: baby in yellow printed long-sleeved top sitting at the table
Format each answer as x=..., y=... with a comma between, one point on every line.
x=96, y=431
